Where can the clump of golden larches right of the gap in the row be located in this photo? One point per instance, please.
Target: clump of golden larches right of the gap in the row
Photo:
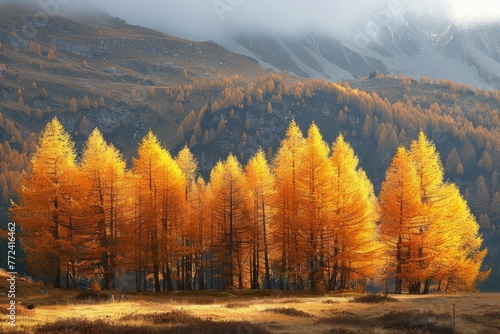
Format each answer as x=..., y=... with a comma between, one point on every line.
x=426, y=225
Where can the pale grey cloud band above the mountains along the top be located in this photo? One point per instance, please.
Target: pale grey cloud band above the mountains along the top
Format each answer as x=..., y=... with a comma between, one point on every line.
x=205, y=19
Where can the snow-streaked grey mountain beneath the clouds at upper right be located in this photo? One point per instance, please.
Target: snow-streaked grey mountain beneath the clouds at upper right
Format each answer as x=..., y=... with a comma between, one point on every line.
x=408, y=42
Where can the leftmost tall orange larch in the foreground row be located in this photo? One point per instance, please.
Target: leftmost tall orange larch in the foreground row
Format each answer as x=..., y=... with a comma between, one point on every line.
x=46, y=202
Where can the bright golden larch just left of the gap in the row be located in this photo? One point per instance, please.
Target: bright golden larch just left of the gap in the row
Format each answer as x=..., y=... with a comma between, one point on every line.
x=355, y=253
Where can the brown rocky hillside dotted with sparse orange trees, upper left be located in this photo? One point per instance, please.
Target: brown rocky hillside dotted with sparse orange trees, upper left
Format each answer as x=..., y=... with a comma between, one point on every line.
x=118, y=66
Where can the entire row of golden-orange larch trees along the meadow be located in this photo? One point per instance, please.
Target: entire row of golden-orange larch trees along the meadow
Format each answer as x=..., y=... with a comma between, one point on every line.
x=308, y=220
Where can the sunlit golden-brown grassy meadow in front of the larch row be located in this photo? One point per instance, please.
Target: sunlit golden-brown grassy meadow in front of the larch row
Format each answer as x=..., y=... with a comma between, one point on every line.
x=244, y=312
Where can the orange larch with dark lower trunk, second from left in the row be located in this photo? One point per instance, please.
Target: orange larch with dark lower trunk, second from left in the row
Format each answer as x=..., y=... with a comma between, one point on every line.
x=106, y=206
